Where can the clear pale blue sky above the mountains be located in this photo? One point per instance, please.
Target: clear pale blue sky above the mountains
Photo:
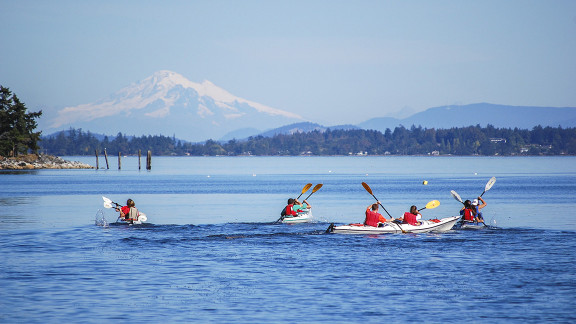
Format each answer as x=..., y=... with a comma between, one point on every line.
x=333, y=62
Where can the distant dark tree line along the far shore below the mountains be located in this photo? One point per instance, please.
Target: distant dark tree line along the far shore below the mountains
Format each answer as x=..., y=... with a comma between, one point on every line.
x=472, y=140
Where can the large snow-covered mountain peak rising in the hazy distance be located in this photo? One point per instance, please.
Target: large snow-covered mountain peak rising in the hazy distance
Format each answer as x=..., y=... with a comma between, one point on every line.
x=169, y=104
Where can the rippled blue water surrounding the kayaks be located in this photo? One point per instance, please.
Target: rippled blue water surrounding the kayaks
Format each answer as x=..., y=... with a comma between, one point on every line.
x=212, y=252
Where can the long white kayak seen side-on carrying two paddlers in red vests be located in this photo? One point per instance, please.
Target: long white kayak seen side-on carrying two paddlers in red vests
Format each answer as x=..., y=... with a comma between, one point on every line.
x=435, y=225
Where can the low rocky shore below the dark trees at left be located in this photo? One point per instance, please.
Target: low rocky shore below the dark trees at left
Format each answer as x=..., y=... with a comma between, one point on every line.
x=33, y=161
